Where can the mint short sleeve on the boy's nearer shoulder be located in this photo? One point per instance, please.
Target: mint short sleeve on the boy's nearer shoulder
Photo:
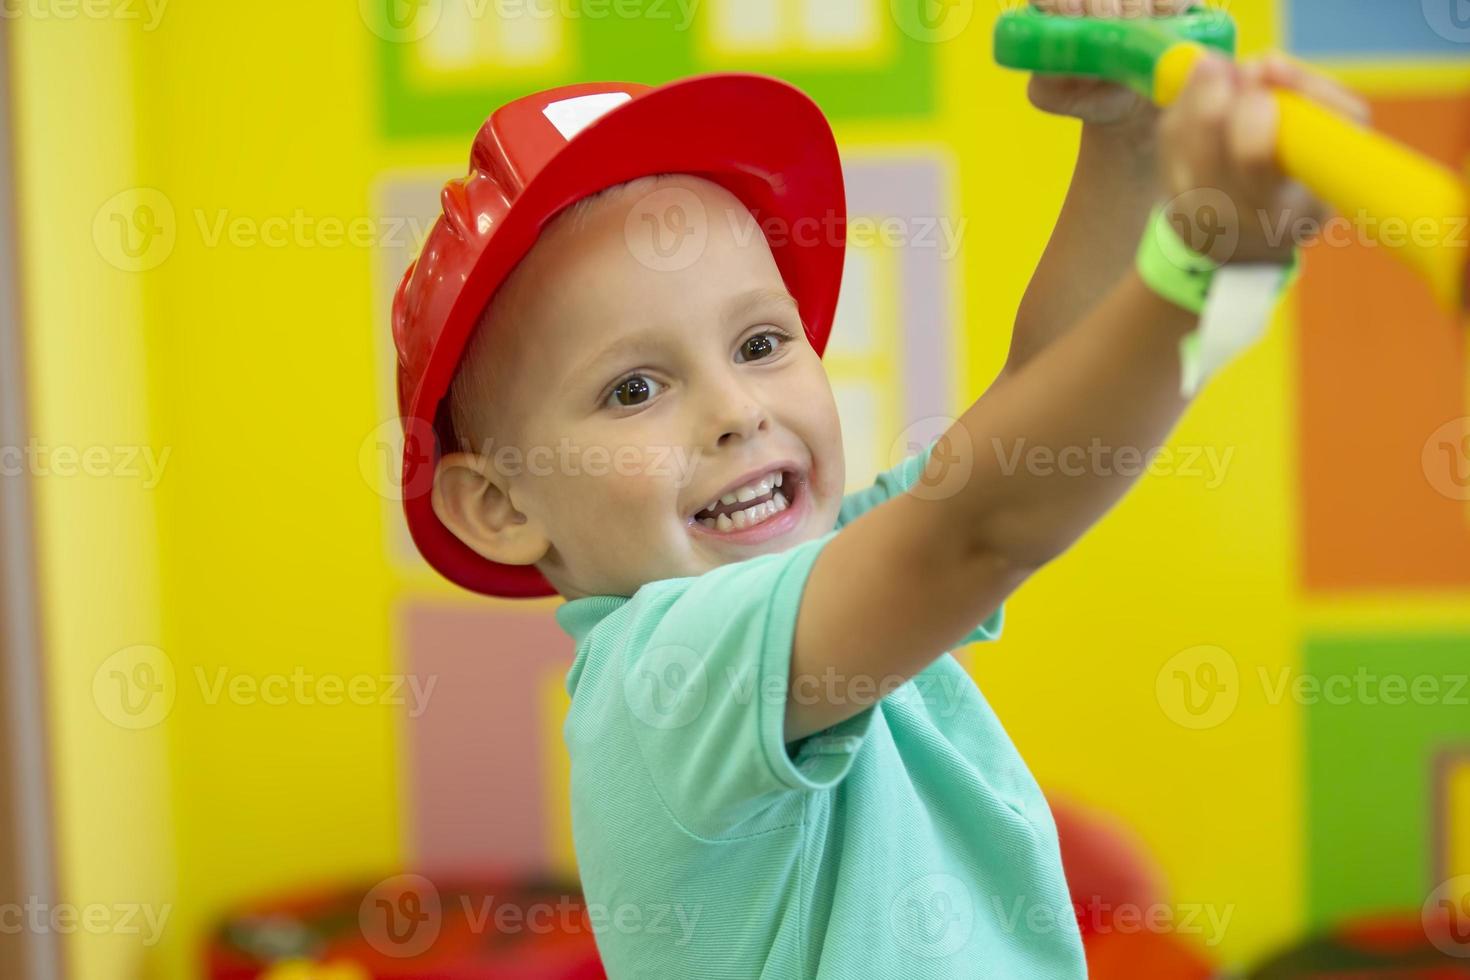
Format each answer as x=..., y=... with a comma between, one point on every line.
x=708, y=696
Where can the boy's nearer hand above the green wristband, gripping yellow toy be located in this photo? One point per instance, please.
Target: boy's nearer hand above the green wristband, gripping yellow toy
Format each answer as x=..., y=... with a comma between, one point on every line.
x=1218, y=154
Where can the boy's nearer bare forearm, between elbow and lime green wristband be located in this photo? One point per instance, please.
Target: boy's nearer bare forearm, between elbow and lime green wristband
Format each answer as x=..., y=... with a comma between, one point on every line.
x=1044, y=446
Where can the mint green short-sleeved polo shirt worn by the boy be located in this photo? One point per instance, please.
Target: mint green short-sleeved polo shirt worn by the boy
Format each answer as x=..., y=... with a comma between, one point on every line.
x=903, y=844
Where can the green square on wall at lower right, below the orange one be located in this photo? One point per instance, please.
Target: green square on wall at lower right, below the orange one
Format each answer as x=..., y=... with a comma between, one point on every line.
x=1372, y=799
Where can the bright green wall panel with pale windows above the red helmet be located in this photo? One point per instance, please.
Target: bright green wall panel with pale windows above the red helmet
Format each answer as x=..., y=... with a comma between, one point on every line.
x=446, y=65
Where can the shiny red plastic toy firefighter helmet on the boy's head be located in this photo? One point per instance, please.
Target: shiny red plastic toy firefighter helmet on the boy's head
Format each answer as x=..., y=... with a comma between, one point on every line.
x=761, y=139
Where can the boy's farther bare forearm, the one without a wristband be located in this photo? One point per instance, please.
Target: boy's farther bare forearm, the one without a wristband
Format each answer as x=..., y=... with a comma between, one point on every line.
x=1114, y=187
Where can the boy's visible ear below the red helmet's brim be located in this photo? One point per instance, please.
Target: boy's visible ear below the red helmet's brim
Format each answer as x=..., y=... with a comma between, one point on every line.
x=473, y=500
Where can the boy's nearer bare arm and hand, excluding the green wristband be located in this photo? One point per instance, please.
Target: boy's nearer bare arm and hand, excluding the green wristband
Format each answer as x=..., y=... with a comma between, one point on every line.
x=911, y=578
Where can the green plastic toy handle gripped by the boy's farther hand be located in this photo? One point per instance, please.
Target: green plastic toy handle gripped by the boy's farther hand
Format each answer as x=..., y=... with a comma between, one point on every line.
x=1116, y=51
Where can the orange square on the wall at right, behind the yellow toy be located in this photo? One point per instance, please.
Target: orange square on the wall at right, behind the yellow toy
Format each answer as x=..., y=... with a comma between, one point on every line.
x=1383, y=380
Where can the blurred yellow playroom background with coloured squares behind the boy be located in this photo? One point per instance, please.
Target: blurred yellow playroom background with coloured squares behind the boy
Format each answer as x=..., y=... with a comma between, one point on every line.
x=242, y=718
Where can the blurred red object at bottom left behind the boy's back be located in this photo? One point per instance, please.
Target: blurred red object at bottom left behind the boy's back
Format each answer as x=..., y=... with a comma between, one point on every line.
x=408, y=928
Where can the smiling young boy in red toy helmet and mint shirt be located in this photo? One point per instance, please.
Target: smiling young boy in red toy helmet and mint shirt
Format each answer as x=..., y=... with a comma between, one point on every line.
x=611, y=368
